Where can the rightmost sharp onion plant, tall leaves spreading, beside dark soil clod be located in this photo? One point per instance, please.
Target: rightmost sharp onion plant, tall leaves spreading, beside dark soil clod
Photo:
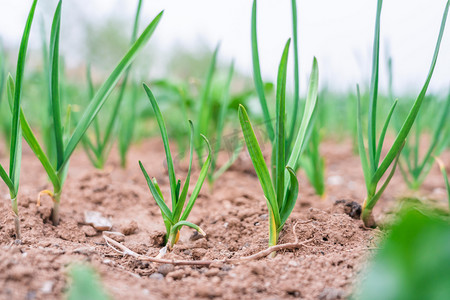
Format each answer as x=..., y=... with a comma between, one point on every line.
x=370, y=160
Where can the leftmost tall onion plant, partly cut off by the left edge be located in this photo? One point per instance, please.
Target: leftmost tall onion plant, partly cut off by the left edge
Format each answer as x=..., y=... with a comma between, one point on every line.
x=11, y=179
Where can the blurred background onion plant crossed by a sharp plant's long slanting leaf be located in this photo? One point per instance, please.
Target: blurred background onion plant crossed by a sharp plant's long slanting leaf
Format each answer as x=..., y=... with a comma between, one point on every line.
x=98, y=148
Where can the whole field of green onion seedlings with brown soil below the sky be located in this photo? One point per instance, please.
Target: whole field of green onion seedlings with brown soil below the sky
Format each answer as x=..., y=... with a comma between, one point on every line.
x=217, y=184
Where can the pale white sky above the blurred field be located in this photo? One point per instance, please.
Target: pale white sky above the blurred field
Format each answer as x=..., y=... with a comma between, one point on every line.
x=338, y=33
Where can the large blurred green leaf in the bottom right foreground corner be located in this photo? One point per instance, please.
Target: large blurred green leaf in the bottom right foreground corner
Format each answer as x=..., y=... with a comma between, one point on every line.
x=414, y=261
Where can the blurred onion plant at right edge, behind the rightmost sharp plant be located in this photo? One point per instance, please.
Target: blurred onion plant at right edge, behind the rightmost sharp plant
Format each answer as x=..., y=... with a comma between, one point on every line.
x=413, y=168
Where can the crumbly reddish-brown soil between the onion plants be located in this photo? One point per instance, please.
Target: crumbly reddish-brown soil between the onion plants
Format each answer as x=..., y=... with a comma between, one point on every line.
x=233, y=214
